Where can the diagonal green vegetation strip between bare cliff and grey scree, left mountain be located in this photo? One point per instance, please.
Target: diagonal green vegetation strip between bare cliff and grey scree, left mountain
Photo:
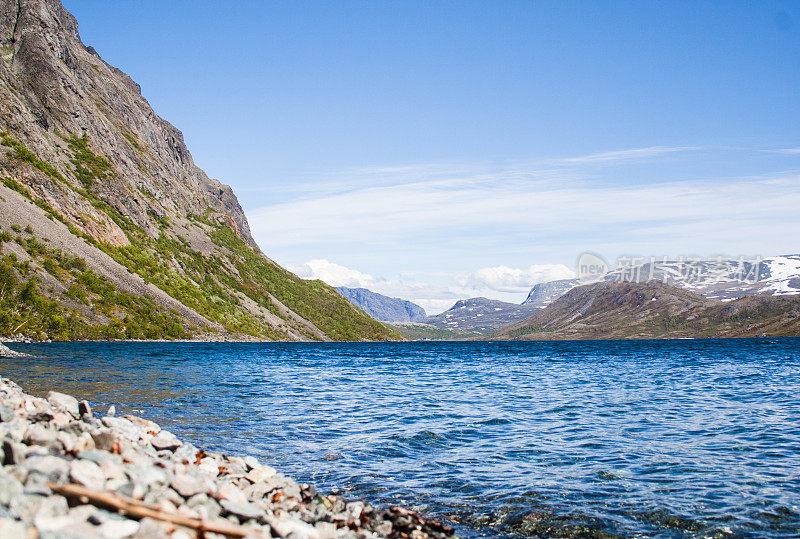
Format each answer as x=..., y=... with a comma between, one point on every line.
x=216, y=285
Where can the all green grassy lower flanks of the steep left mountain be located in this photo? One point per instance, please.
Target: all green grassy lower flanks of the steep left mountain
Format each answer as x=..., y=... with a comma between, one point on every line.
x=231, y=283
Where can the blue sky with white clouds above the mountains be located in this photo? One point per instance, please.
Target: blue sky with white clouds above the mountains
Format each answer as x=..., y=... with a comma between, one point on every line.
x=436, y=150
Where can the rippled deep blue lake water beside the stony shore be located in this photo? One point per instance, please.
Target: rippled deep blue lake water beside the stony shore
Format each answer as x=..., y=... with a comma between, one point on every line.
x=656, y=438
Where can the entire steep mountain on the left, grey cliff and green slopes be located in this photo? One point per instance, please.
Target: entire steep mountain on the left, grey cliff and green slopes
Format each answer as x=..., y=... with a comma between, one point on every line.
x=107, y=227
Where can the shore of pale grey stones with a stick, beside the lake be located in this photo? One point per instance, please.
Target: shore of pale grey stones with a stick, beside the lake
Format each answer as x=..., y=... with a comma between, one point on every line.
x=68, y=473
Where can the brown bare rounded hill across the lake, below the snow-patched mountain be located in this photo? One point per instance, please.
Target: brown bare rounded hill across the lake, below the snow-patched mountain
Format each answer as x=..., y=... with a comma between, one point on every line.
x=617, y=310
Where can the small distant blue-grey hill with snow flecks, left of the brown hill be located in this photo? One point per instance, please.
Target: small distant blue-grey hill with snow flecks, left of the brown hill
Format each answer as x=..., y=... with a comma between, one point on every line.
x=480, y=314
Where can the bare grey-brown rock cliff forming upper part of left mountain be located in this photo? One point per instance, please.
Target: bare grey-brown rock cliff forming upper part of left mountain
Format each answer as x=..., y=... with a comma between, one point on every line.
x=56, y=90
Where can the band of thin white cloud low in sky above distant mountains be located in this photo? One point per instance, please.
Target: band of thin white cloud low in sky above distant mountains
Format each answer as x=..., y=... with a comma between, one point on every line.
x=493, y=230
